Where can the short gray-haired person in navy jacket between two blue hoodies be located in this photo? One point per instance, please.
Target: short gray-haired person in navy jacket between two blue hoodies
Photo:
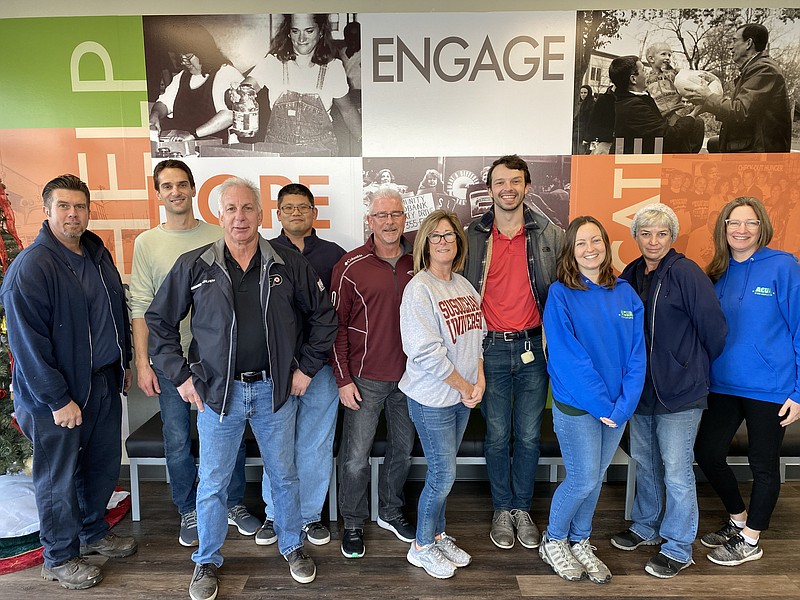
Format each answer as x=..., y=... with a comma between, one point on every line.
x=685, y=331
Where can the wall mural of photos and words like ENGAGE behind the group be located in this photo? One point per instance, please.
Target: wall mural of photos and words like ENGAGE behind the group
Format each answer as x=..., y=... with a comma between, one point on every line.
x=346, y=103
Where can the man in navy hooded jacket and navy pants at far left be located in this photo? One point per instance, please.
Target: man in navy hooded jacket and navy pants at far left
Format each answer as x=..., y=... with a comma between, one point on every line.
x=69, y=333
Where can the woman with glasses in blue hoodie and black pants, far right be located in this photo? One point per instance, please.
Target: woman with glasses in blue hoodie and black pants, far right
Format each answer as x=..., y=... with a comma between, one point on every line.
x=755, y=379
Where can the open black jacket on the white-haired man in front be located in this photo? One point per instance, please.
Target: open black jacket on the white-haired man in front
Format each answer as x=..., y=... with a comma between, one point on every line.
x=291, y=295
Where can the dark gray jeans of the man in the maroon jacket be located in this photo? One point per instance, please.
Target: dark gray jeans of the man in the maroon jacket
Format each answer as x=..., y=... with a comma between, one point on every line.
x=357, y=436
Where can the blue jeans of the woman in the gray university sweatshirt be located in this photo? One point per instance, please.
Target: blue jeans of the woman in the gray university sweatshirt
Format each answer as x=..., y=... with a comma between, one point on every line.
x=440, y=431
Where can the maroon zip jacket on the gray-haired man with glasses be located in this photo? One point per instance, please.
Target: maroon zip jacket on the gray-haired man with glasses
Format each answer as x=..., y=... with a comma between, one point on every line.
x=366, y=292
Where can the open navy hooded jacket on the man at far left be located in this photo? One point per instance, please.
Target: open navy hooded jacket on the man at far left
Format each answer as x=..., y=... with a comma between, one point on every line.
x=48, y=322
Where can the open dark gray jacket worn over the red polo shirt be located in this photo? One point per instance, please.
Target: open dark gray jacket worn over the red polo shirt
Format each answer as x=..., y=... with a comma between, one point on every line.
x=542, y=243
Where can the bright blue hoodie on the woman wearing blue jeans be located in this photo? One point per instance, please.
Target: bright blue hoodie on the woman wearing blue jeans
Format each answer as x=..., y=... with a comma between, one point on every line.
x=595, y=341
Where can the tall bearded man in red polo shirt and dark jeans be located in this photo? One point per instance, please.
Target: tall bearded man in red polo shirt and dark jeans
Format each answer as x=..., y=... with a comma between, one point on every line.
x=511, y=262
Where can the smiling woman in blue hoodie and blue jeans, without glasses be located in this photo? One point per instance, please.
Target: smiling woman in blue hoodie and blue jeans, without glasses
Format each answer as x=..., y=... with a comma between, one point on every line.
x=594, y=325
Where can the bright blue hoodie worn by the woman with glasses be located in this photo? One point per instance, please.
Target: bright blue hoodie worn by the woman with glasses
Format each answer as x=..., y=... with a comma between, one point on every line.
x=761, y=301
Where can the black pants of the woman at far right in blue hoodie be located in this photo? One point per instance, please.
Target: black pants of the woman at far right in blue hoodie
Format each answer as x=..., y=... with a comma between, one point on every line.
x=764, y=438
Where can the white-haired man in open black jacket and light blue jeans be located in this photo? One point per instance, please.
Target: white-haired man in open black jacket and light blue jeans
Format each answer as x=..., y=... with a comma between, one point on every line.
x=248, y=361
